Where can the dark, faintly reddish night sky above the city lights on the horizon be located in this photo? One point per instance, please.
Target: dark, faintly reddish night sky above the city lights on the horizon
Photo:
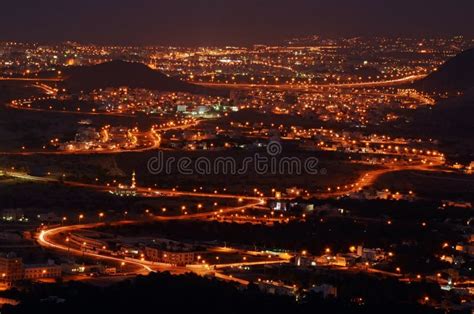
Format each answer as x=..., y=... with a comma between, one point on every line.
x=203, y=22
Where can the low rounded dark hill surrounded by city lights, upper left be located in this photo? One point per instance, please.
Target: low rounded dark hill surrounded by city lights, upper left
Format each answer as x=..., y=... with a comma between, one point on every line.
x=130, y=74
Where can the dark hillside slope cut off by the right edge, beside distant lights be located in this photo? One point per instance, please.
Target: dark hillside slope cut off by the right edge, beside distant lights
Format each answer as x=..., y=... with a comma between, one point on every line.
x=455, y=75
